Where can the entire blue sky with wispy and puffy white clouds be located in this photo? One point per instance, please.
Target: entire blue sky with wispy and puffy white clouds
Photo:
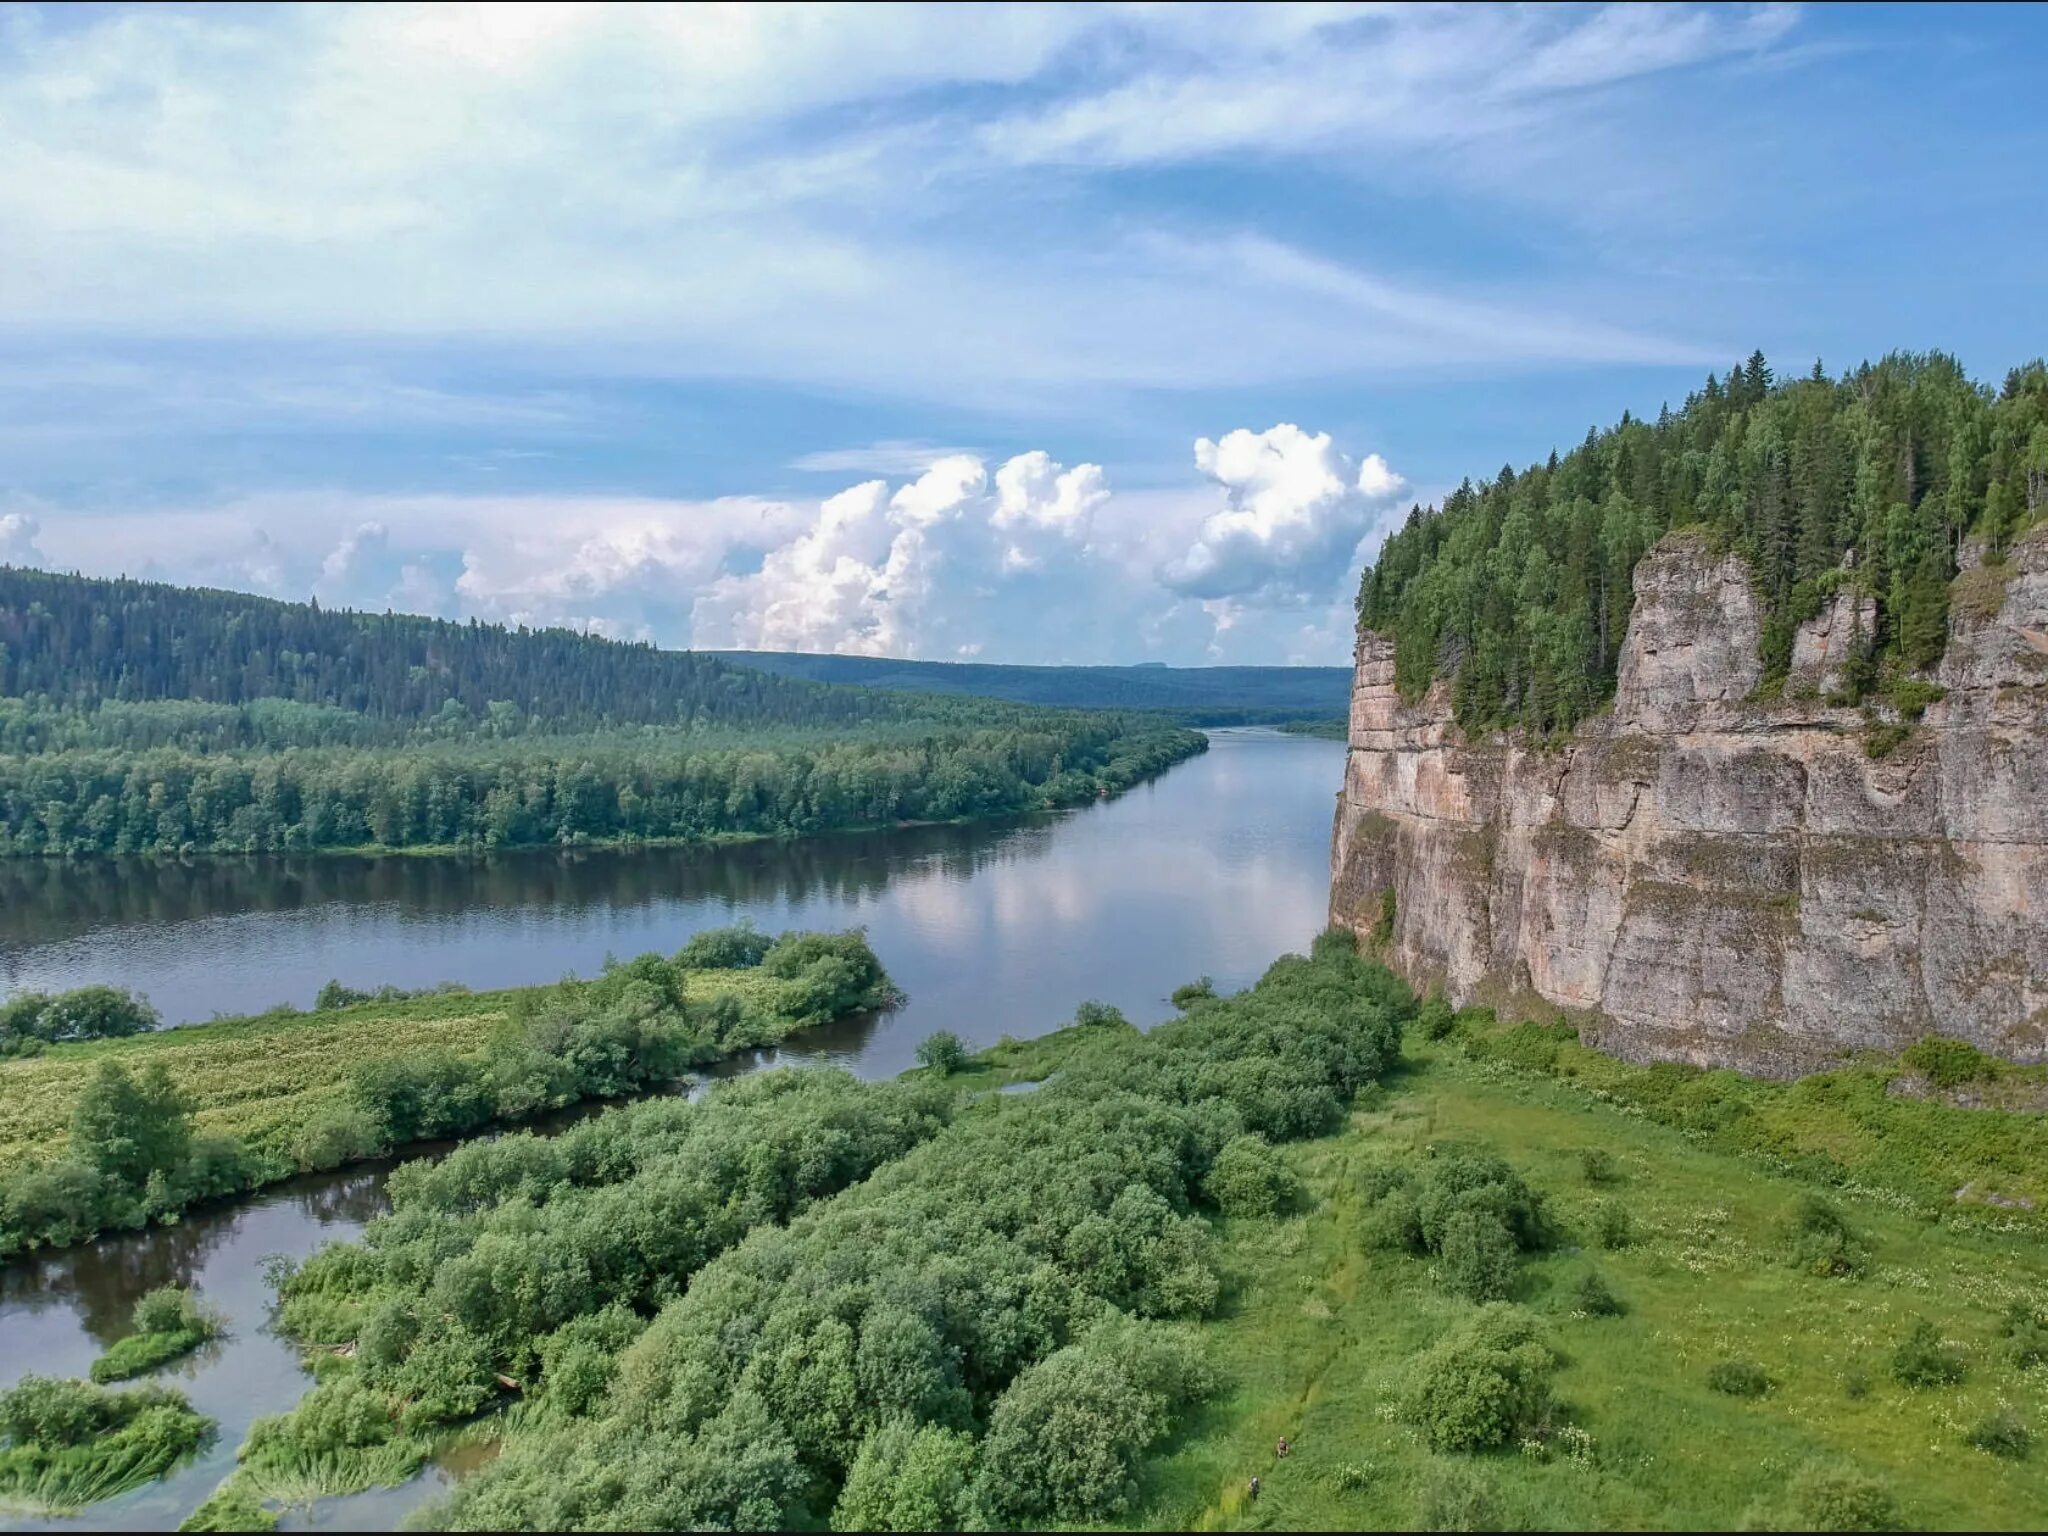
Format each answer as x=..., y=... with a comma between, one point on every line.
x=1007, y=333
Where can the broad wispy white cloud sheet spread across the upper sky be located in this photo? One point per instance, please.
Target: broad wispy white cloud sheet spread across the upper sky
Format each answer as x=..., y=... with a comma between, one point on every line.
x=804, y=194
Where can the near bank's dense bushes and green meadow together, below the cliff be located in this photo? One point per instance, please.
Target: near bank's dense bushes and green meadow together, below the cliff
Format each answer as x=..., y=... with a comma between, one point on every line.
x=1476, y=1275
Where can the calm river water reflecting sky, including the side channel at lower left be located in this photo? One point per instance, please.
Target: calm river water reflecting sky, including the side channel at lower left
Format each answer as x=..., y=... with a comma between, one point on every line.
x=1211, y=869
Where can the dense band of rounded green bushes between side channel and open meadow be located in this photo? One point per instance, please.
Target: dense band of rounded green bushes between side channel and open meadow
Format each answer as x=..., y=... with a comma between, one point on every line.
x=1011, y=1277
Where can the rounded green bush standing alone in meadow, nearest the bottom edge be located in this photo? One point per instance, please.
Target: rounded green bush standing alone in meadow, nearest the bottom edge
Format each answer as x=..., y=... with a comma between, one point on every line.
x=1486, y=1383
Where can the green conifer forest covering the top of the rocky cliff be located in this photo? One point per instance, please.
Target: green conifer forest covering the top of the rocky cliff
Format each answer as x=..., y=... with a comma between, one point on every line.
x=1519, y=587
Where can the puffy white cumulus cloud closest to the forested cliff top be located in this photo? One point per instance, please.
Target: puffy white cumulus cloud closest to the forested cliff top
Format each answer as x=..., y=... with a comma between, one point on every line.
x=1293, y=515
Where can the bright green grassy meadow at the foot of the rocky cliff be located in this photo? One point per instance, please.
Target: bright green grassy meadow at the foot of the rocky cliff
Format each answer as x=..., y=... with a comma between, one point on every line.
x=1318, y=1334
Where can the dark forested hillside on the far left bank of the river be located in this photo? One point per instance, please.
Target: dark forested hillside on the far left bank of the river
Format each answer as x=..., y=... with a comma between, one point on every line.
x=140, y=718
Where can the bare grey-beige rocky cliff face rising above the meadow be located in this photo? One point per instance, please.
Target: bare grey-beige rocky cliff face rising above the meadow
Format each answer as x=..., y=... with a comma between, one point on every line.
x=1717, y=880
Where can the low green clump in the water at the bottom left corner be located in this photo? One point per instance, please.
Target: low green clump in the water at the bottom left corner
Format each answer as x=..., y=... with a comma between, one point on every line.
x=67, y=1443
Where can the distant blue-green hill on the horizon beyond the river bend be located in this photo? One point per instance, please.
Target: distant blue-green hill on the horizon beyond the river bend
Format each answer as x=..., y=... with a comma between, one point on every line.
x=1195, y=695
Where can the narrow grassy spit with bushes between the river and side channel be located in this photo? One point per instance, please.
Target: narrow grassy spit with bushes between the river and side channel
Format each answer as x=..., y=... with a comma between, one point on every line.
x=118, y=1134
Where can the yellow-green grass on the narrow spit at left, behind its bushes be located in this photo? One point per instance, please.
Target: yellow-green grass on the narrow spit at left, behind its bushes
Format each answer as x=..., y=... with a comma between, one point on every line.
x=263, y=1078
